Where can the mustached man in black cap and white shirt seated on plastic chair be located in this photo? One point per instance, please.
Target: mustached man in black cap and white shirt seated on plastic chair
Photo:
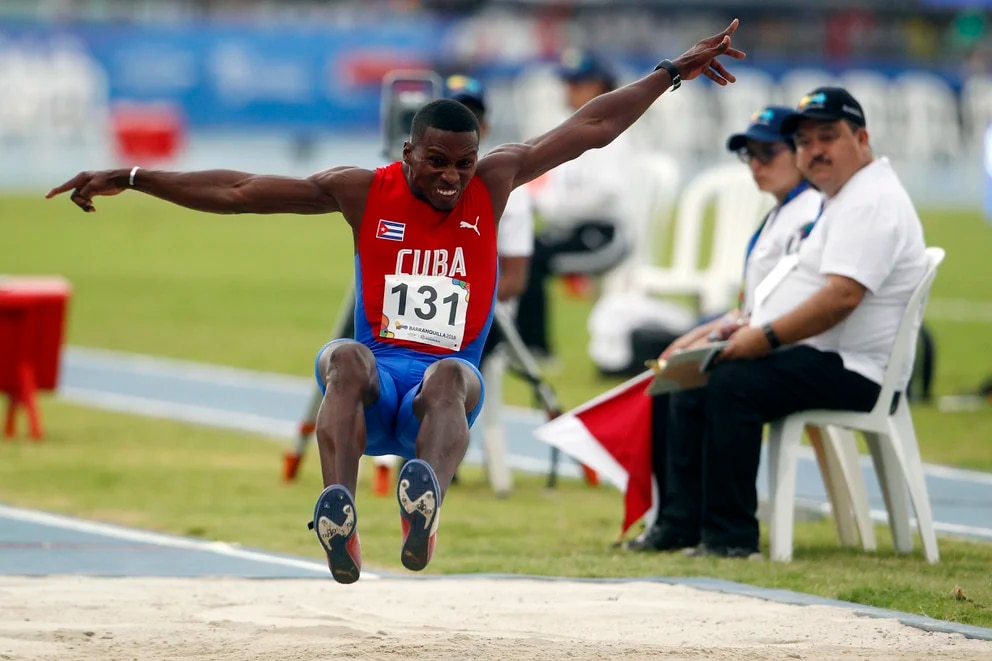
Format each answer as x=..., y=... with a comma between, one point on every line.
x=824, y=320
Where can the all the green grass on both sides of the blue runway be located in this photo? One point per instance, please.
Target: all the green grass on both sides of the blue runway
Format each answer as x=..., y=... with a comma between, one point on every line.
x=263, y=293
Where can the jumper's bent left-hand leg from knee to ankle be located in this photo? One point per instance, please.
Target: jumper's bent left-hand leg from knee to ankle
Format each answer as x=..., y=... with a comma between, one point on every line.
x=347, y=370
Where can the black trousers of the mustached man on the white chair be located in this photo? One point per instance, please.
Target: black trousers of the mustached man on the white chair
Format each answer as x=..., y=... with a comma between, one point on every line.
x=712, y=444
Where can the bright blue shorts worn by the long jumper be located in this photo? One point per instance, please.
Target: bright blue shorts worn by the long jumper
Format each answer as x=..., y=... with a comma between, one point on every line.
x=390, y=424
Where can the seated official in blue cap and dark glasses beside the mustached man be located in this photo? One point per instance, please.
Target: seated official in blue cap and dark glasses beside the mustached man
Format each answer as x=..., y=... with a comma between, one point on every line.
x=677, y=461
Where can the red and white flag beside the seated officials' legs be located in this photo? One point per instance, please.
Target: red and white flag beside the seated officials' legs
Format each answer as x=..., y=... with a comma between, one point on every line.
x=612, y=435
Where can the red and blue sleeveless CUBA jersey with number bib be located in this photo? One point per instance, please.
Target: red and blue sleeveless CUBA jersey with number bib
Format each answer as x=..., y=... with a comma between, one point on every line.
x=425, y=279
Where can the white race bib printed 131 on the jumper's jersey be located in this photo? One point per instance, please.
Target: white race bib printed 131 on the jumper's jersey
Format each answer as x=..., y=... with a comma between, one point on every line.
x=429, y=309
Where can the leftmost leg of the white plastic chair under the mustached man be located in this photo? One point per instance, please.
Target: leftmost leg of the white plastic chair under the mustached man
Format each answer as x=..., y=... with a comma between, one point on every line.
x=783, y=454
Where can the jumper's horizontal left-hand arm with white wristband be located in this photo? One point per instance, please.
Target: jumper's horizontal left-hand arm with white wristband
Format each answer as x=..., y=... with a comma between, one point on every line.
x=214, y=191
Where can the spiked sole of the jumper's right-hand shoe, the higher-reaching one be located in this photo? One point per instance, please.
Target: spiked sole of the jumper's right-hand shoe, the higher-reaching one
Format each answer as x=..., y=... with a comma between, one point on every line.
x=417, y=491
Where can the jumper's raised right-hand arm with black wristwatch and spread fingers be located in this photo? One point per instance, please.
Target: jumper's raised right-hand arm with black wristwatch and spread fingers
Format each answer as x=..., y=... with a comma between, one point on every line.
x=600, y=121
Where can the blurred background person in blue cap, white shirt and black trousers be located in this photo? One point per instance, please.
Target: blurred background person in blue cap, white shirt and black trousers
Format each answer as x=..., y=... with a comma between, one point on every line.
x=580, y=205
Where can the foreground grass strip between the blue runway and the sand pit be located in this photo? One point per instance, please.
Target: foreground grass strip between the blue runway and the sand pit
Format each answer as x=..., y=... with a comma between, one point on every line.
x=218, y=485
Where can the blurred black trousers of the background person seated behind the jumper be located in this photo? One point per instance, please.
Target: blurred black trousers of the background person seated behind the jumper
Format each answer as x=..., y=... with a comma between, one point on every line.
x=591, y=247
